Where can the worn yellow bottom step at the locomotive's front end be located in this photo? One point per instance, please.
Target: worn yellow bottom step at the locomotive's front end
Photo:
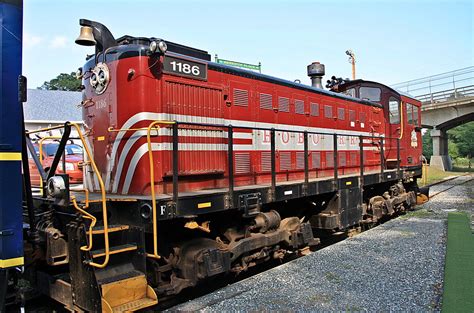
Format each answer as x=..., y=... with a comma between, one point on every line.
x=128, y=294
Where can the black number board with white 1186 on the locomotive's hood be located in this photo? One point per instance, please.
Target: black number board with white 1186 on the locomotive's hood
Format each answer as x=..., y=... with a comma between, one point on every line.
x=183, y=67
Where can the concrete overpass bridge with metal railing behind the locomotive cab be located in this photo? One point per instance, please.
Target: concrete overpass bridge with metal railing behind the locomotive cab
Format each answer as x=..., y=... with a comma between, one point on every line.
x=447, y=101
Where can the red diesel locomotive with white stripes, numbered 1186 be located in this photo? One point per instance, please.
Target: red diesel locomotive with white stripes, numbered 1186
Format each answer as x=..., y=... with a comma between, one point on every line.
x=195, y=169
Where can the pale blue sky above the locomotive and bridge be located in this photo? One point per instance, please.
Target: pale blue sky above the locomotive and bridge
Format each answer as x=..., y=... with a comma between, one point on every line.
x=393, y=41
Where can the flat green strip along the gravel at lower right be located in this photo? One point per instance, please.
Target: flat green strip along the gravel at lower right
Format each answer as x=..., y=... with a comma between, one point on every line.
x=459, y=268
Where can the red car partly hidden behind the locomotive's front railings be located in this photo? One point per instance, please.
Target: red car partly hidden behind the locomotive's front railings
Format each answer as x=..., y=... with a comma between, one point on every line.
x=74, y=159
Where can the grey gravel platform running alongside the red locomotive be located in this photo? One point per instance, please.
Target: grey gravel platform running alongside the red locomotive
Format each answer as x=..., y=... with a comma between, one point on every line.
x=397, y=266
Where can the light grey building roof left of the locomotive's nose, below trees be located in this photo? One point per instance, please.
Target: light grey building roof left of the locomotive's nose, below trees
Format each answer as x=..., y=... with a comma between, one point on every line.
x=52, y=106
